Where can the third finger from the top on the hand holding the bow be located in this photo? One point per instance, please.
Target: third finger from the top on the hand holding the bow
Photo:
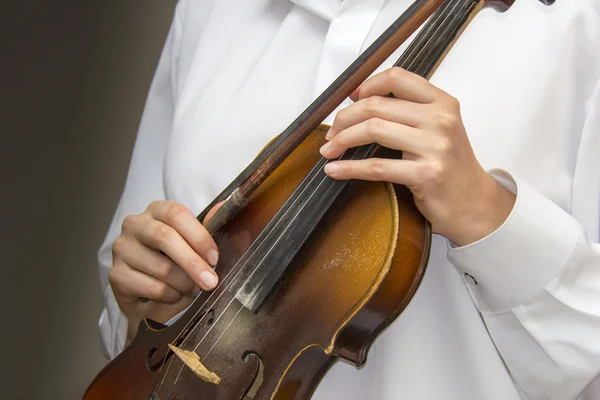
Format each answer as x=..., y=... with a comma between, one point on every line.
x=148, y=261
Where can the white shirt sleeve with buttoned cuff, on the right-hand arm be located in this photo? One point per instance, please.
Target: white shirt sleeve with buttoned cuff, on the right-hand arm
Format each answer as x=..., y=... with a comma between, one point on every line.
x=536, y=282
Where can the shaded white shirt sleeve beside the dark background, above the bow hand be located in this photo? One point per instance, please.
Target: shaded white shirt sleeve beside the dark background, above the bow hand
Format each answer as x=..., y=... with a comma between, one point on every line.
x=144, y=182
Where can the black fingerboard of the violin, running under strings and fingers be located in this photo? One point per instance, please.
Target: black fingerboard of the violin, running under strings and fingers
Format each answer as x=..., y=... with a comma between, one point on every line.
x=299, y=216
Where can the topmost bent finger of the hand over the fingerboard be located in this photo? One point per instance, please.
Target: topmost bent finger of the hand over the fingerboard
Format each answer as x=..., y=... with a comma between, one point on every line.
x=402, y=84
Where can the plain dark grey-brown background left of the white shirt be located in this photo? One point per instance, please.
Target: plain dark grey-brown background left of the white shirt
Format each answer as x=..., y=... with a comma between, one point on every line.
x=74, y=76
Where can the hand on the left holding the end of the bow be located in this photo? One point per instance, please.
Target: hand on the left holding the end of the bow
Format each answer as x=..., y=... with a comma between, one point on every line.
x=169, y=281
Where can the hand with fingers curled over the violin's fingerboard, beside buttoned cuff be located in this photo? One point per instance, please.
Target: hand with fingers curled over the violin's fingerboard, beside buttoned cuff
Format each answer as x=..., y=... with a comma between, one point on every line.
x=438, y=165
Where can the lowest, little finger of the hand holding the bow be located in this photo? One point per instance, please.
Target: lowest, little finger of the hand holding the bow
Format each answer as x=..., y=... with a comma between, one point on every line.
x=135, y=284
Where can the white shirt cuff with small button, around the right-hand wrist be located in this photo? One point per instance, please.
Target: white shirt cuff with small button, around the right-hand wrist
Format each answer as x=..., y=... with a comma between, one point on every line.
x=523, y=255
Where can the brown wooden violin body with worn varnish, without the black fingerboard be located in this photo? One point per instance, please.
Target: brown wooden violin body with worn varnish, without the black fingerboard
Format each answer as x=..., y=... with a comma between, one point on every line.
x=350, y=280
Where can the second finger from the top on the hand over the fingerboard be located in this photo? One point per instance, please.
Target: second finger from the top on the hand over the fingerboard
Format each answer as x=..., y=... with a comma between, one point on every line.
x=394, y=110
